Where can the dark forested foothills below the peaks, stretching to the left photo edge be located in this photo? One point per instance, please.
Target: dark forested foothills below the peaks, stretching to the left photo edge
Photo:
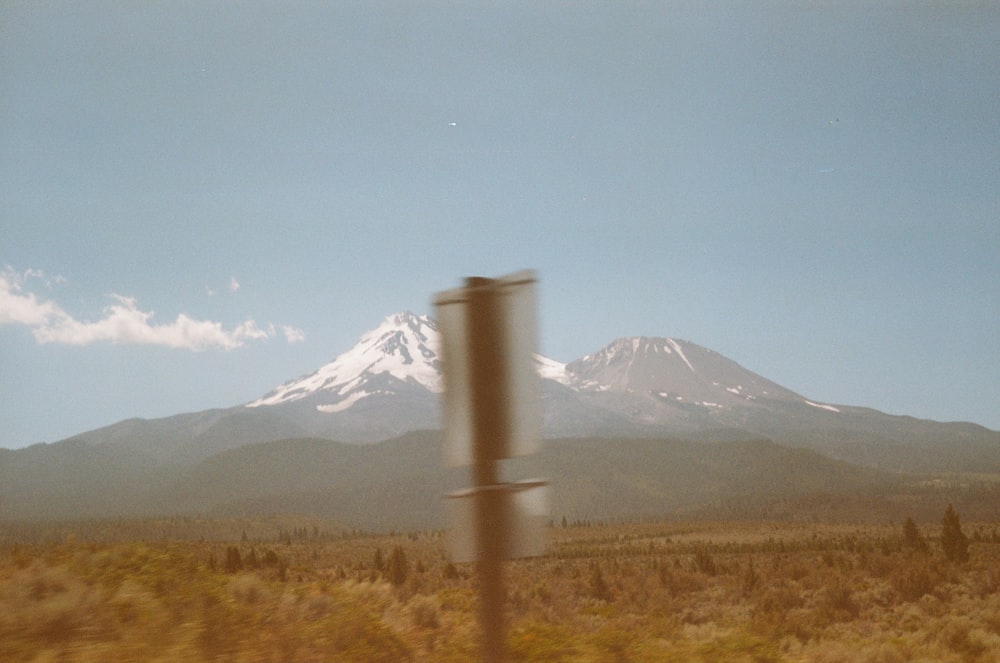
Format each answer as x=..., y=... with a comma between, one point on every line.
x=399, y=483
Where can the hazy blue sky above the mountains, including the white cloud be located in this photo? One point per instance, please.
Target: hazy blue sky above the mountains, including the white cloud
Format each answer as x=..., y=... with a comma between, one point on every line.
x=201, y=200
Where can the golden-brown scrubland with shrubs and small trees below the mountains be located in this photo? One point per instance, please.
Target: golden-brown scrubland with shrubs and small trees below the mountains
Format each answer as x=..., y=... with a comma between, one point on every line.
x=640, y=592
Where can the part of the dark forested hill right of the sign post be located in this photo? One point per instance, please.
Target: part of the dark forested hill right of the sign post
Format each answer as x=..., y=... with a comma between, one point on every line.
x=655, y=478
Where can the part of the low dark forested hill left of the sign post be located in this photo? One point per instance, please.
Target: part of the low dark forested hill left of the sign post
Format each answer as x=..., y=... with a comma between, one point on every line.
x=398, y=484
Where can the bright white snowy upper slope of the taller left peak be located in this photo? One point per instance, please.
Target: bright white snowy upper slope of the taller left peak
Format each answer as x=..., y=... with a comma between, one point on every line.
x=404, y=346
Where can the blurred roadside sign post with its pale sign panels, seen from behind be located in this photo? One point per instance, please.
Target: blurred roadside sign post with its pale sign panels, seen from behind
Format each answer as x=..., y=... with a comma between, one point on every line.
x=492, y=412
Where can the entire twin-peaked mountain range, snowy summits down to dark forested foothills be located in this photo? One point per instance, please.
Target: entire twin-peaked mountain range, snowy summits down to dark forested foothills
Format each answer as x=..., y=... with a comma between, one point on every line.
x=363, y=407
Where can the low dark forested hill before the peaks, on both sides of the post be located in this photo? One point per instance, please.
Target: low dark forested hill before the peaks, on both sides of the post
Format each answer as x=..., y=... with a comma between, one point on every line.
x=399, y=484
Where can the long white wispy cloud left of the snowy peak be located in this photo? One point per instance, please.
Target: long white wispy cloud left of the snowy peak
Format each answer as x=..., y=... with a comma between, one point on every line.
x=122, y=322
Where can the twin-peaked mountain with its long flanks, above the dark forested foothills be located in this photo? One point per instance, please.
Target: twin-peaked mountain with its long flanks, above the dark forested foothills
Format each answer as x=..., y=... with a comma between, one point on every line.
x=390, y=382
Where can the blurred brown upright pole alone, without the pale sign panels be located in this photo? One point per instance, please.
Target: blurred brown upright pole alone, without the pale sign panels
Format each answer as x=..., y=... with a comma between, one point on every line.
x=490, y=422
